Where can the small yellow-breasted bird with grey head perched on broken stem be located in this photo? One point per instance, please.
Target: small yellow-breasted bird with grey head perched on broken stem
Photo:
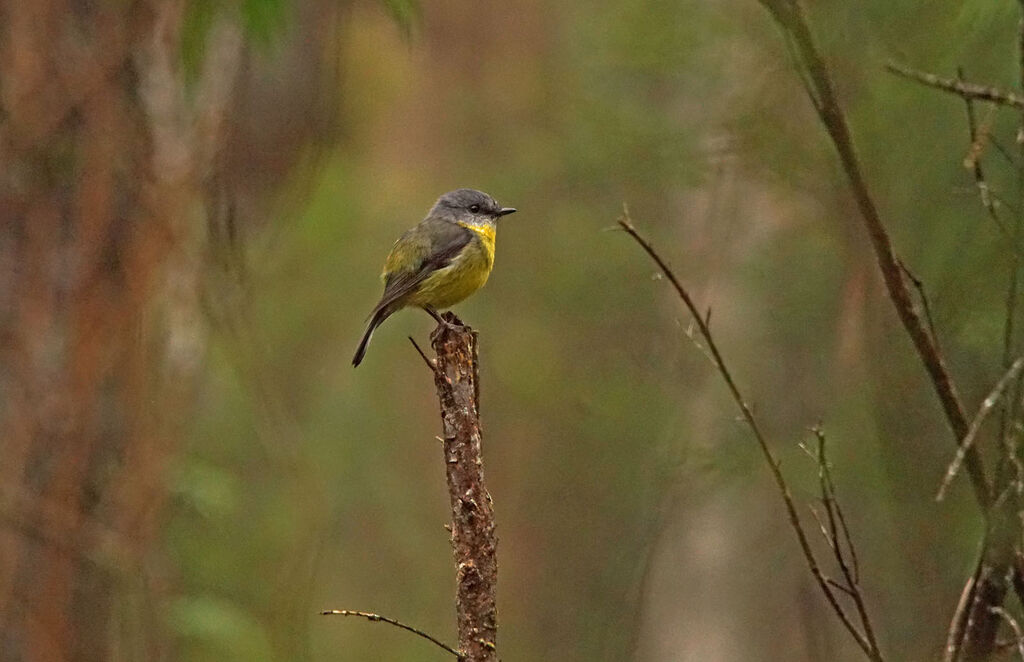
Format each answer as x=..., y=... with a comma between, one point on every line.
x=441, y=262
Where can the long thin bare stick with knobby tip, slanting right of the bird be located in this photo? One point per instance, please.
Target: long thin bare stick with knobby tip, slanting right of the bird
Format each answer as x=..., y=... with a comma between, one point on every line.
x=865, y=641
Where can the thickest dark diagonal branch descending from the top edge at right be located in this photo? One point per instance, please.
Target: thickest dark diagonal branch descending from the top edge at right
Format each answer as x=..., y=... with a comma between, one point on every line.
x=790, y=17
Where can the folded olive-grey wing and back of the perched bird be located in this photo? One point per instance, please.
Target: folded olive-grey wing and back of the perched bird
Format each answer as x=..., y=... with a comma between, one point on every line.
x=418, y=254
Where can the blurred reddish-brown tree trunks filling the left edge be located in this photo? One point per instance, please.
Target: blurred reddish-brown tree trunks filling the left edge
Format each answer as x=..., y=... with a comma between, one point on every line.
x=105, y=160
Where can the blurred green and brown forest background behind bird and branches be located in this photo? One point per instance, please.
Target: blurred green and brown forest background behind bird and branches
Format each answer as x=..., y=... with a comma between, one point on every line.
x=182, y=340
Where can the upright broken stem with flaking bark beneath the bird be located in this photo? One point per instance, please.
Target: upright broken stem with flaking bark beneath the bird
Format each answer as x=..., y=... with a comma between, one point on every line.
x=474, y=540
